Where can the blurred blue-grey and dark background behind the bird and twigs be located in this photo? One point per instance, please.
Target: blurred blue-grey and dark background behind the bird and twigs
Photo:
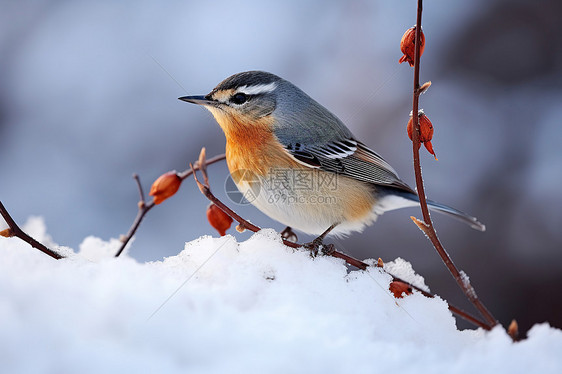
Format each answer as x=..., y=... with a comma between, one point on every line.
x=88, y=96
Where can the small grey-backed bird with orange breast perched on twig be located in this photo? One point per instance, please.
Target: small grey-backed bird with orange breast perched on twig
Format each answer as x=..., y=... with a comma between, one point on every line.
x=300, y=164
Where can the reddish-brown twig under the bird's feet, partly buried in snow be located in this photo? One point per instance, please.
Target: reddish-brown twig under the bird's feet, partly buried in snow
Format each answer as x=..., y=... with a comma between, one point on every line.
x=206, y=191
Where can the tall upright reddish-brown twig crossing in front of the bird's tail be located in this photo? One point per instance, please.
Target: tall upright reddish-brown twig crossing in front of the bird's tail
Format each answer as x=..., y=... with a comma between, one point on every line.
x=427, y=226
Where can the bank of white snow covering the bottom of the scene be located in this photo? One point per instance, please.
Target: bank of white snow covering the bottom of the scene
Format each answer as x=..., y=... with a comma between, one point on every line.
x=223, y=306
